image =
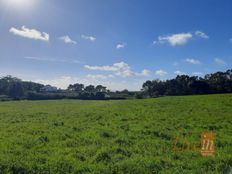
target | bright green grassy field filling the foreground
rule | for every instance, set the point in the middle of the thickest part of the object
(130, 136)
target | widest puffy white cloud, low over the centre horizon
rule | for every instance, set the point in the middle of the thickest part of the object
(121, 69)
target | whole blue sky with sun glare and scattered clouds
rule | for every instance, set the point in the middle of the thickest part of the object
(119, 44)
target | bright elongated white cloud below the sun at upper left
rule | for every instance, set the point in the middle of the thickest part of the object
(30, 33)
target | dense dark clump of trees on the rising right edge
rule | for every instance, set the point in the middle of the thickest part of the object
(219, 82)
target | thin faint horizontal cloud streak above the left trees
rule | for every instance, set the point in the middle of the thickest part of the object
(46, 59)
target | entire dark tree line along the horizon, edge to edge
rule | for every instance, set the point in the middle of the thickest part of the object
(12, 88)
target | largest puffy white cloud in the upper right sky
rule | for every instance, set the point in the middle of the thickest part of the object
(175, 39)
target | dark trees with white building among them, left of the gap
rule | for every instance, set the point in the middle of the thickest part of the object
(16, 89)
